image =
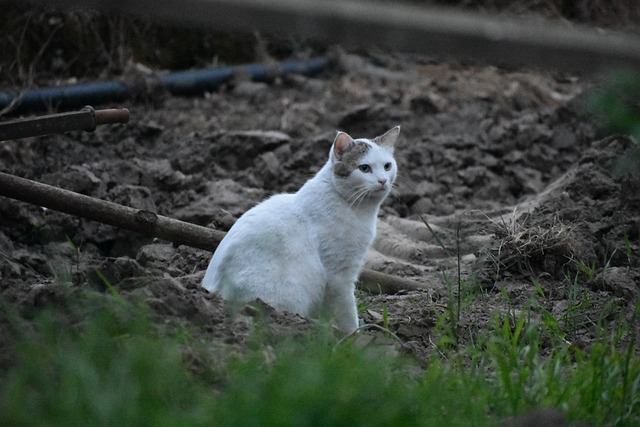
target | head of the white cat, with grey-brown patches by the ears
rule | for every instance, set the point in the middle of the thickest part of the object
(364, 169)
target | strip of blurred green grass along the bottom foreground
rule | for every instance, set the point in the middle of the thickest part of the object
(105, 364)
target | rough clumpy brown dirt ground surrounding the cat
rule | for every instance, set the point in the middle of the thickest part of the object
(503, 165)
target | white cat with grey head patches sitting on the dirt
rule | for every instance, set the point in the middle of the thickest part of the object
(303, 252)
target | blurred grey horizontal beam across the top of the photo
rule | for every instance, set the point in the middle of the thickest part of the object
(400, 27)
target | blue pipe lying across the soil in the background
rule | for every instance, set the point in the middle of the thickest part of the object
(184, 83)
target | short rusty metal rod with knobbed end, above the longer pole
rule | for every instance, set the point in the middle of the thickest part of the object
(86, 119)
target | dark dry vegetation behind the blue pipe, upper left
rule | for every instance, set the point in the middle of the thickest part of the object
(43, 44)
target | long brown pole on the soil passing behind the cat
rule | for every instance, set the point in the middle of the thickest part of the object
(149, 223)
